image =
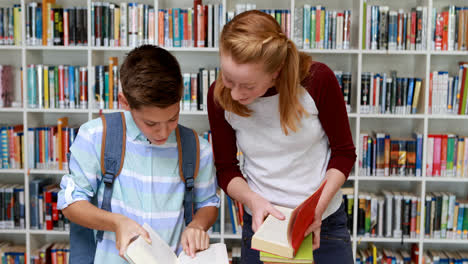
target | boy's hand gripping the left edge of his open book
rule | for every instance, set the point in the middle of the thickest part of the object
(125, 230)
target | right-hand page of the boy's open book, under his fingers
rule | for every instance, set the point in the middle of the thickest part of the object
(215, 254)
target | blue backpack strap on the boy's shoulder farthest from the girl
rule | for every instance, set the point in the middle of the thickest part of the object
(112, 155)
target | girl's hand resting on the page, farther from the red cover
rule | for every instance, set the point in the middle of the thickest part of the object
(261, 208)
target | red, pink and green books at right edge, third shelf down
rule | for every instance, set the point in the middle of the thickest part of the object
(447, 156)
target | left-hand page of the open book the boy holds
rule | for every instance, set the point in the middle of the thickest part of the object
(158, 252)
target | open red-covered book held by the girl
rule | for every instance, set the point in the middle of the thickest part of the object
(283, 238)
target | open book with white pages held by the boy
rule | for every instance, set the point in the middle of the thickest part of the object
(159, 252)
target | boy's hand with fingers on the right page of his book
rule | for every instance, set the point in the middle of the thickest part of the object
(194, 239)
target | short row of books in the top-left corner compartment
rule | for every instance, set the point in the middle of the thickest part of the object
(10, 25)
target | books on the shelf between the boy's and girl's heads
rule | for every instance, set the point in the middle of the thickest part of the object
(196, 87)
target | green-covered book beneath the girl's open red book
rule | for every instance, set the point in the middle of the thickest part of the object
(304, 254)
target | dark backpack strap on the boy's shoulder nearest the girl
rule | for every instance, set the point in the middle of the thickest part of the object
(189, 162)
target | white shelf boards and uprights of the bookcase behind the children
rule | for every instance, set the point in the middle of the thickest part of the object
(417, 63)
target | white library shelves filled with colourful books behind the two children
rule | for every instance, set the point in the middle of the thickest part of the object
(402, 66)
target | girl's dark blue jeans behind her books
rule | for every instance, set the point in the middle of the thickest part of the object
(335, 241)
